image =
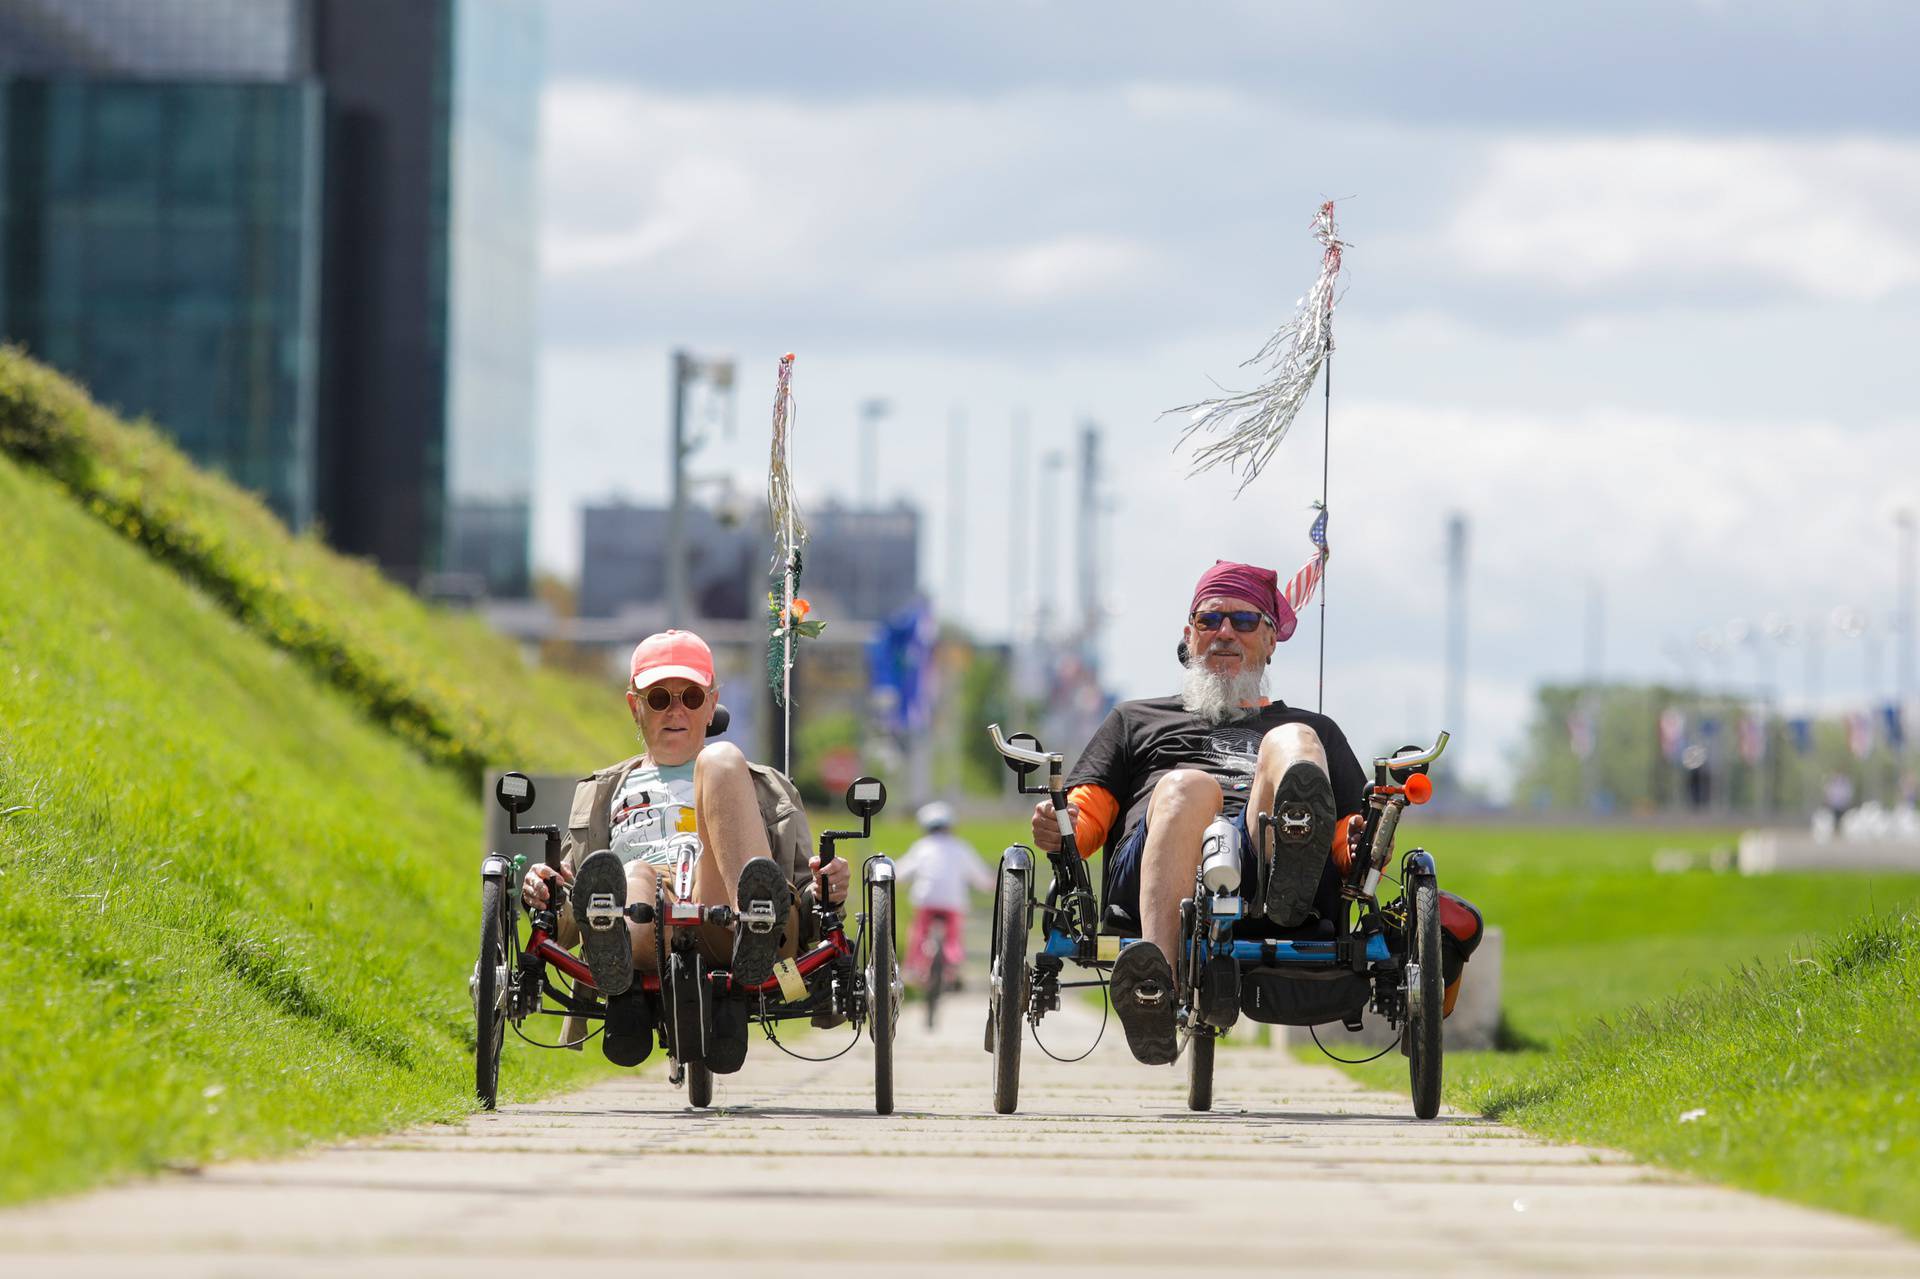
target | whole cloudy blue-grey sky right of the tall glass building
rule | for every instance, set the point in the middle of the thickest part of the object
(1635, 289)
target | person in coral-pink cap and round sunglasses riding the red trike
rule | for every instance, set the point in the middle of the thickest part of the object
(694, 817)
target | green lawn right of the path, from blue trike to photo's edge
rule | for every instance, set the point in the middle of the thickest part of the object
(1637, 998)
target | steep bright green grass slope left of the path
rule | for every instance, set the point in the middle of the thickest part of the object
(241, 911)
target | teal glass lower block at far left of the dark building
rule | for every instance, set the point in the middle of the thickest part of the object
(160, 247)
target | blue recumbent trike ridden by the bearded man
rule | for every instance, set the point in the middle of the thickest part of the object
(1372, 955)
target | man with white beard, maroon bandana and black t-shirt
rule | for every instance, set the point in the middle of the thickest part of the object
(1159, 771)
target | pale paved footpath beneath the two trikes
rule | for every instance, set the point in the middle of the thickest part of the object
(1103, 1170)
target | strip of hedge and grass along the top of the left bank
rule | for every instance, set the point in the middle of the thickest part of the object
(448, 685)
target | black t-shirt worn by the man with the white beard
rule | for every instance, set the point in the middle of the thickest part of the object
(1145, 740)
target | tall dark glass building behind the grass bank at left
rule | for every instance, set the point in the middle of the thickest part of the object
(299, 235)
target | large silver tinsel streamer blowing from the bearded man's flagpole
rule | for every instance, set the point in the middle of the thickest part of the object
(1247, 429)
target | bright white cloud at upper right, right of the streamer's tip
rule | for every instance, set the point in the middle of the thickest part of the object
(1671, 214)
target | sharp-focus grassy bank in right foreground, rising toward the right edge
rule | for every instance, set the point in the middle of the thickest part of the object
(1792, 1078)
